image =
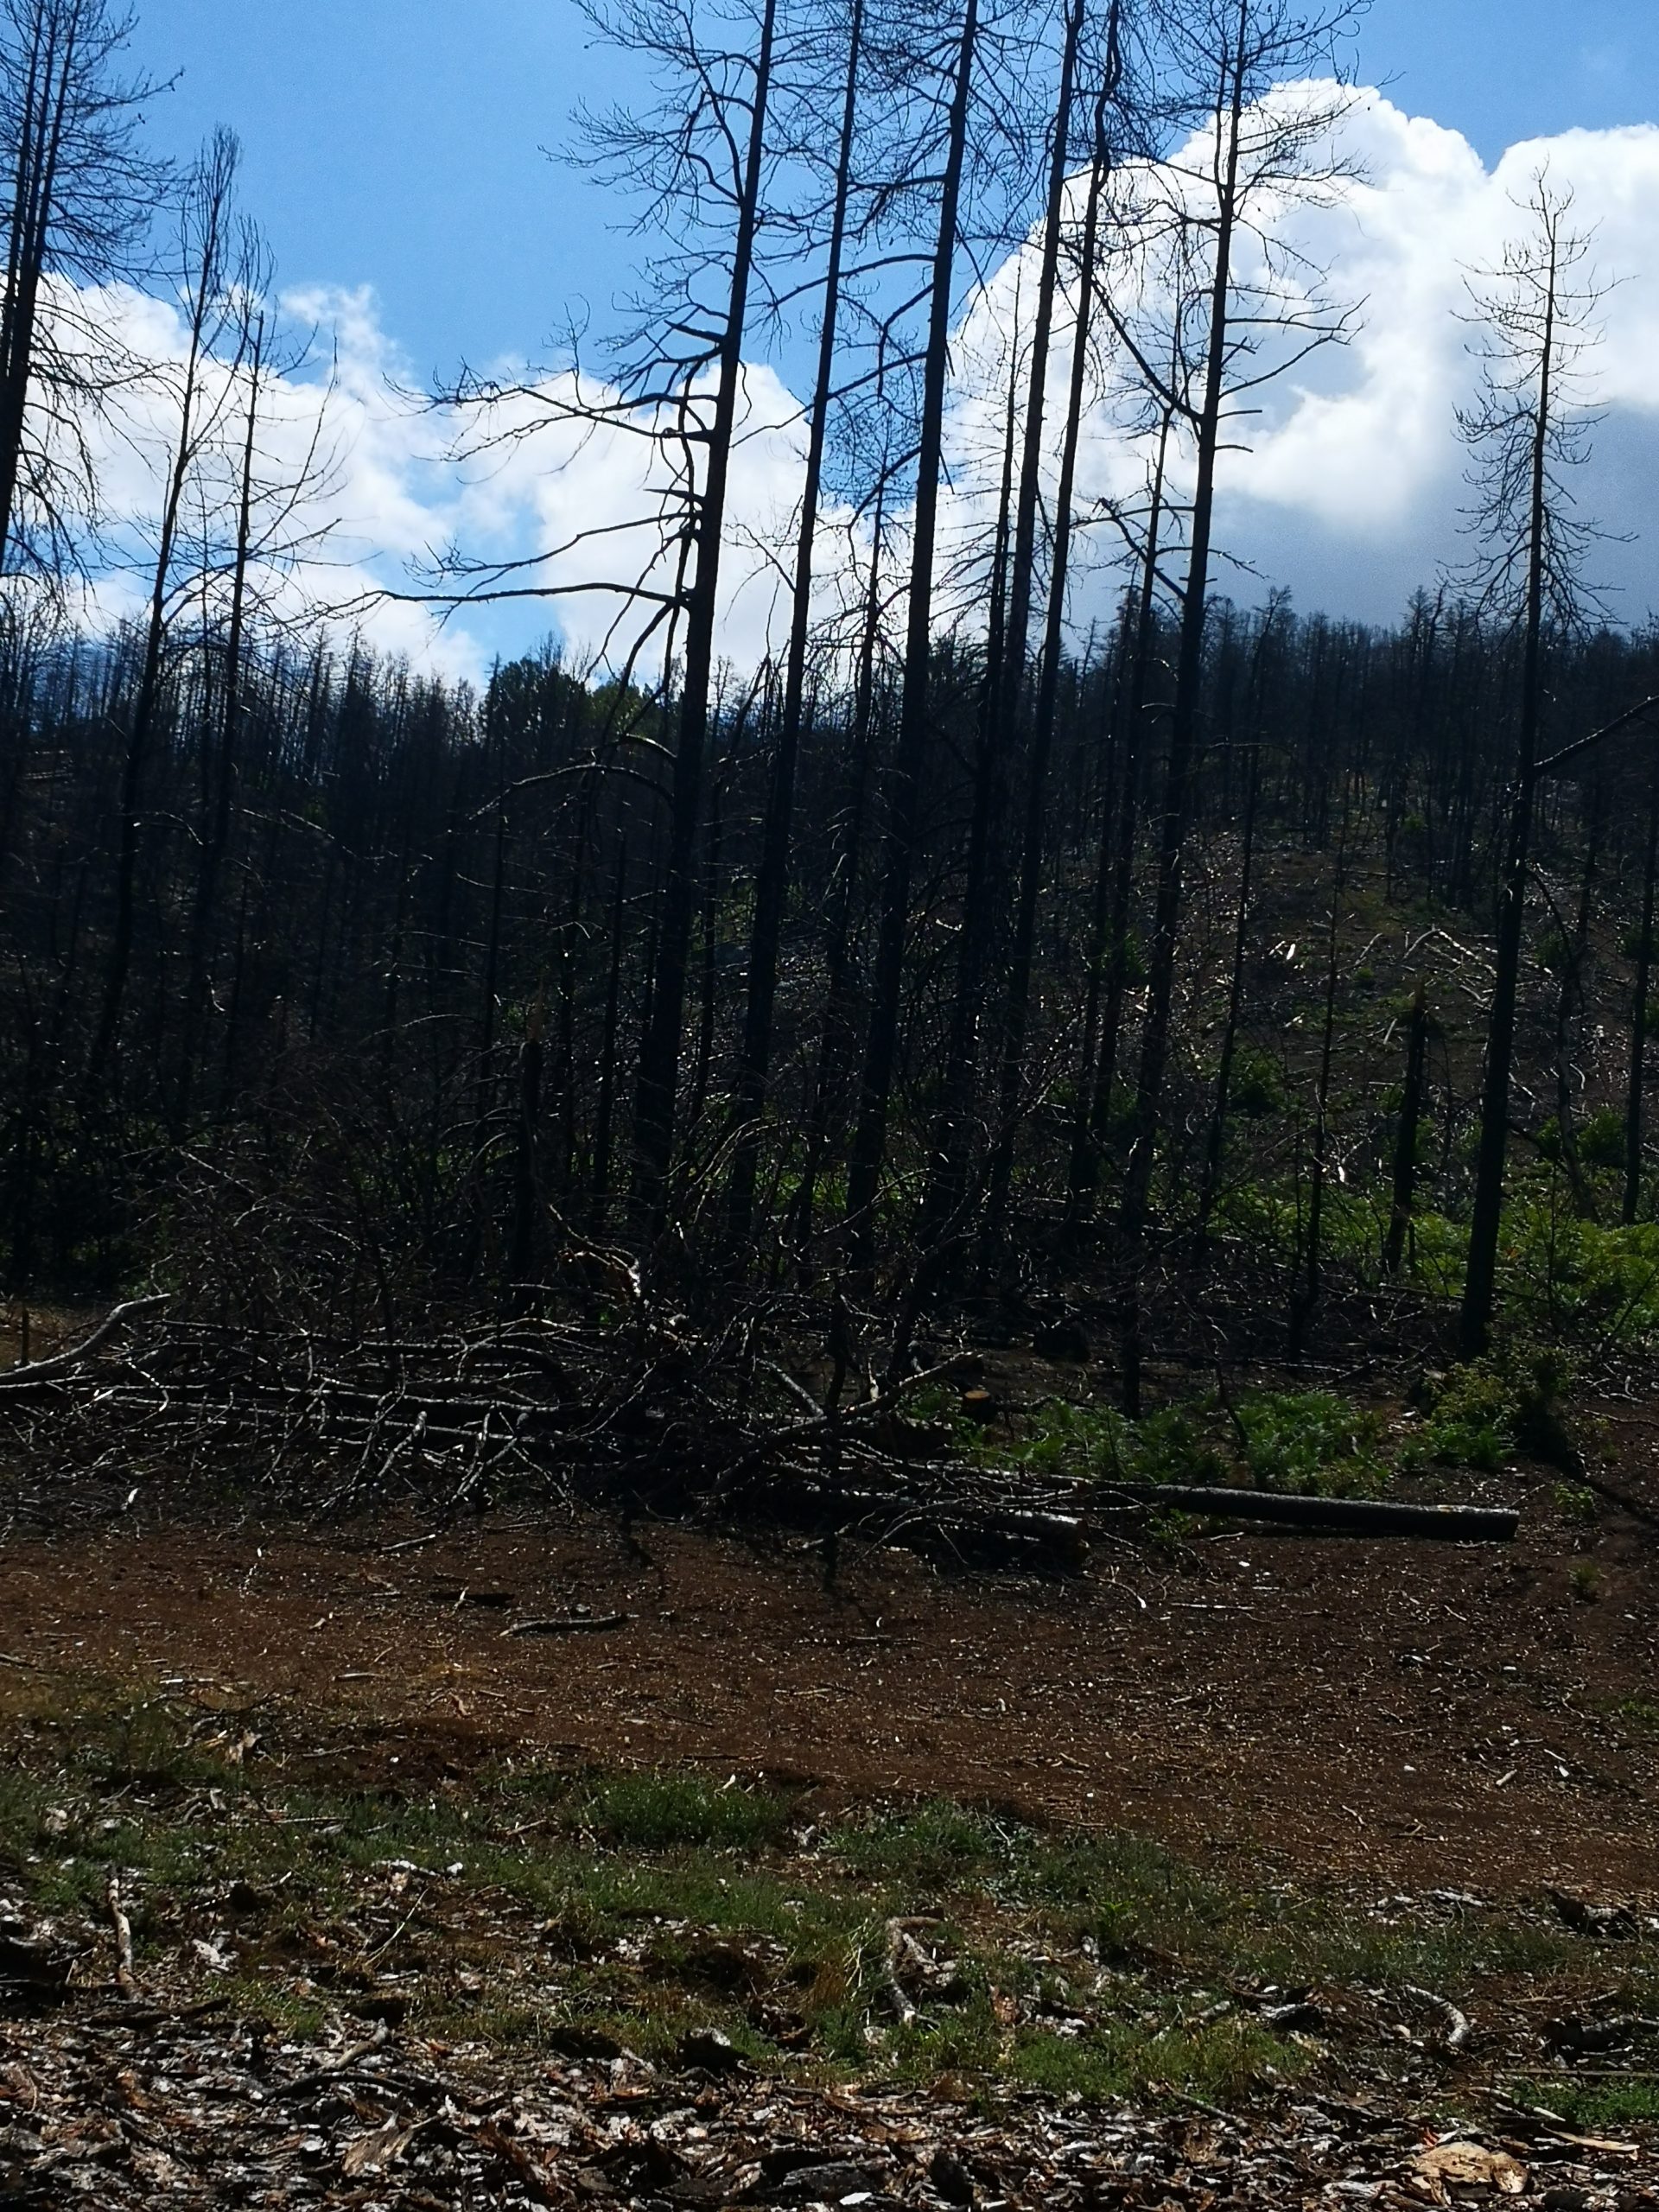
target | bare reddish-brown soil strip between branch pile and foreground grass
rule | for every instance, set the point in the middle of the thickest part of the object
(1395, 1713)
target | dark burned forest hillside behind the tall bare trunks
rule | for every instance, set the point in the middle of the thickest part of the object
(413, 1081)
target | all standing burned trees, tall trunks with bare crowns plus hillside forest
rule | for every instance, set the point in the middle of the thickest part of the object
(1196, 983)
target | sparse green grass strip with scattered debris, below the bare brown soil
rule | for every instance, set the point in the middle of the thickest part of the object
(583, 1912)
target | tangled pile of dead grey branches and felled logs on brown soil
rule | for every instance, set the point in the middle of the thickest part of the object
(638, 1419)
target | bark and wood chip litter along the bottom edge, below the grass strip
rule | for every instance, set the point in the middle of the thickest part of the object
(213, 2111)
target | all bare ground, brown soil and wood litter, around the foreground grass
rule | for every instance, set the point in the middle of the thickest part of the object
(1357, 1720)
